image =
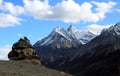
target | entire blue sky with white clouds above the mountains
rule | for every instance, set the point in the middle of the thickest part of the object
(37, 18)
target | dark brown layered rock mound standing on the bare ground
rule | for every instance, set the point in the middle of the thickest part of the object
(22, 50)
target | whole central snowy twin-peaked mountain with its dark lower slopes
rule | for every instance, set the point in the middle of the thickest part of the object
(59, 43)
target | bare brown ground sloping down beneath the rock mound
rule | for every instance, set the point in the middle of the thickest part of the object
(27, 68)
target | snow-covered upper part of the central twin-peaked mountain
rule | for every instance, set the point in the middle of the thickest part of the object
(71, 34)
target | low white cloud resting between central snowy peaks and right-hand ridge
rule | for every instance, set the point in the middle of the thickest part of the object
(96, 29)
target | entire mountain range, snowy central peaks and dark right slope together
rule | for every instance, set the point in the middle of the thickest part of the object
(82, 53)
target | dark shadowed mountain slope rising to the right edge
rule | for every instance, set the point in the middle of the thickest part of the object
(99, 57)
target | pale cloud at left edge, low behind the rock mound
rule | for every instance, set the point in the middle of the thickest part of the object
(4, 52)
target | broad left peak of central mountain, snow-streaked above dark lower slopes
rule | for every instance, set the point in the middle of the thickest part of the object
(58, 37)
